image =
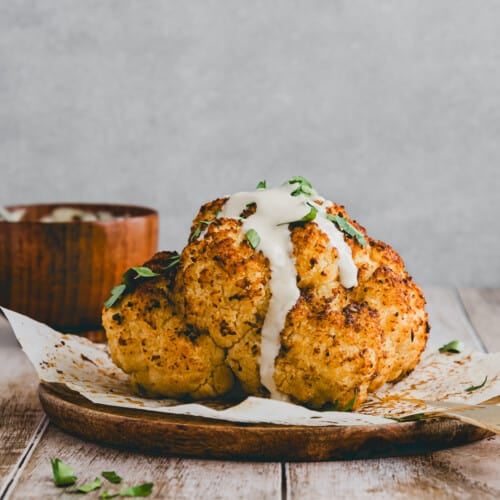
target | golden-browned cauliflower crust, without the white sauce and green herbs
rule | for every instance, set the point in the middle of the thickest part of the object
(195, 330)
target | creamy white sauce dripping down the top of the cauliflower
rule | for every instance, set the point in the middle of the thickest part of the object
(275, 209)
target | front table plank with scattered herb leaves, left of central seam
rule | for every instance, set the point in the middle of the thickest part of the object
(173, 478)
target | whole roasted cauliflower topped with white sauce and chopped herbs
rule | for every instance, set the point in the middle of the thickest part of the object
(278, 293)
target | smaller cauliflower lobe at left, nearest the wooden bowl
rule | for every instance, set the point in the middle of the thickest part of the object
(151, 342)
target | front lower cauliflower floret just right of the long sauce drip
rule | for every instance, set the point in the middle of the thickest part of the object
(328, 357)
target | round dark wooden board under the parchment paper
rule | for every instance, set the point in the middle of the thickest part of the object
(161, 434)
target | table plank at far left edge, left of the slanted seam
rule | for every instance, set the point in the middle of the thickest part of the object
(21, 417)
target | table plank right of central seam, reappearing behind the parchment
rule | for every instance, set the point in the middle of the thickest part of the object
(470, 471)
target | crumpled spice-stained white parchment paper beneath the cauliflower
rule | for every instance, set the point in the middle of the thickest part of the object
(464, 386)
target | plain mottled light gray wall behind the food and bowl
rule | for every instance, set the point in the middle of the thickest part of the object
(389, 107)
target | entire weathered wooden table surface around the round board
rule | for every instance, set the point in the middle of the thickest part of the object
(28, 441)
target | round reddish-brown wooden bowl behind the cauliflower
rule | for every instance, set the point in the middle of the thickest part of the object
(60, 273)
